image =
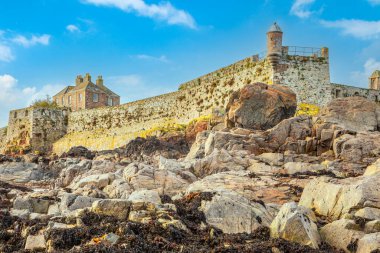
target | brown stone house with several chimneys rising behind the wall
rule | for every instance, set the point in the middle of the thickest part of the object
(86, 95)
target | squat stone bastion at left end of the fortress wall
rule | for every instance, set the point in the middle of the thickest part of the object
(34, 128)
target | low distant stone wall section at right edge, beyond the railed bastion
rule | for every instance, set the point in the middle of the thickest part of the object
(340, 90)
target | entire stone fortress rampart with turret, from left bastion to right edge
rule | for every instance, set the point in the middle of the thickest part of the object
(305, 70)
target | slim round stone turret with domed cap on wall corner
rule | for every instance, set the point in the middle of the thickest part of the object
(274, 44)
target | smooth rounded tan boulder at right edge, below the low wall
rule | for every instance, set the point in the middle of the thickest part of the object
(352, 113)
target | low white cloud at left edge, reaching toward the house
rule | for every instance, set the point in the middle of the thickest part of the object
(13, 96)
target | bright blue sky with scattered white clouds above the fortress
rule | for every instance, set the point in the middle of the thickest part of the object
(148, 47)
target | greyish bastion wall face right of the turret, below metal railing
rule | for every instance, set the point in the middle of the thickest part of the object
(308, 77)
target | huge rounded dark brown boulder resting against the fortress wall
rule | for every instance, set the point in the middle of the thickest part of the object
(260, 106)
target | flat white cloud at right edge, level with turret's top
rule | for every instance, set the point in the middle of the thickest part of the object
(361, 29)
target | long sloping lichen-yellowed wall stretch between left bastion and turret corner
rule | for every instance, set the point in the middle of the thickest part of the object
(111, 127)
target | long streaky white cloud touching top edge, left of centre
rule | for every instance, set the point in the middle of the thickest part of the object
(164, 11)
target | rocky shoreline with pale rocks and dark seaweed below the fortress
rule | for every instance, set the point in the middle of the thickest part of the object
(309, 184)
